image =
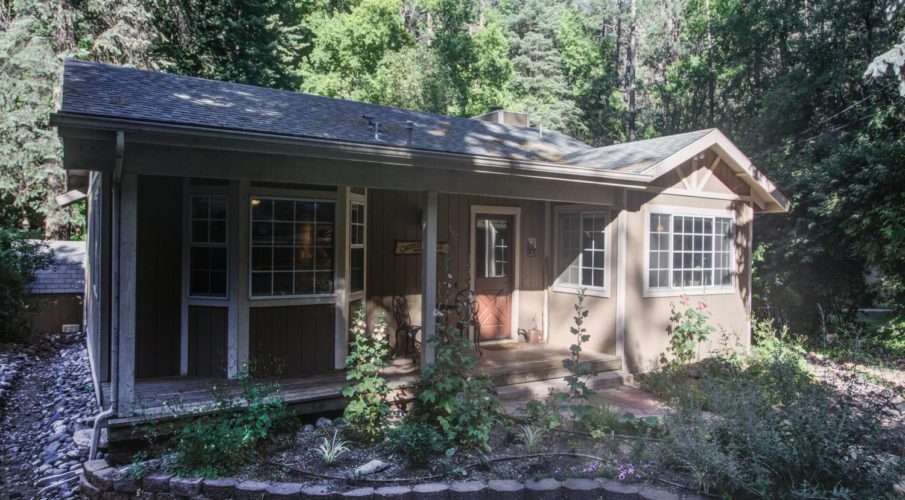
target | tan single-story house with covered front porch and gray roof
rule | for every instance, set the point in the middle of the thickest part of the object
(231, 224)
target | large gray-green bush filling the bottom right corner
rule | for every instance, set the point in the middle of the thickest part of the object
(778, 433)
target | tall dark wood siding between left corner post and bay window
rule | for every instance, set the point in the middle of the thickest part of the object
(159, 277)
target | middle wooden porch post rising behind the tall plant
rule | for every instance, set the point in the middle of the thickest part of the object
(428, 276)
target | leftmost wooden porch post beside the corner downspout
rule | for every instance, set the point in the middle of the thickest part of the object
(128, 235)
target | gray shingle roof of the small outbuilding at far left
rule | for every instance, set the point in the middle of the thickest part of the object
(66, 274)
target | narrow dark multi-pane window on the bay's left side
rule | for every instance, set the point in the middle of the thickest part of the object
(208, 248)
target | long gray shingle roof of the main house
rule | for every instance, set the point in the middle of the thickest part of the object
(113, 91)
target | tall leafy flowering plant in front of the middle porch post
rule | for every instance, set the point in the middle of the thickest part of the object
(450, 396)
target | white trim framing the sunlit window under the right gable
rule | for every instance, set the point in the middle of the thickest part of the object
(674, 210)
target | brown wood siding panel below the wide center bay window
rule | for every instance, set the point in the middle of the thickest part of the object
(292, 340)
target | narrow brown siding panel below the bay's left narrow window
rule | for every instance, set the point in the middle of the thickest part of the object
(208, 328)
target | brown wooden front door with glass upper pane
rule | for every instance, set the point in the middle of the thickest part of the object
(494, 270)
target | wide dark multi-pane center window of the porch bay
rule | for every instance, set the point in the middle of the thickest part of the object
(292, 247)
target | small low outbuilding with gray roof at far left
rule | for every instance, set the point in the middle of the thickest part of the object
(59, 288)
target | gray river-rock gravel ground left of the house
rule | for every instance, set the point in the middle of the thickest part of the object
(47, 396)
